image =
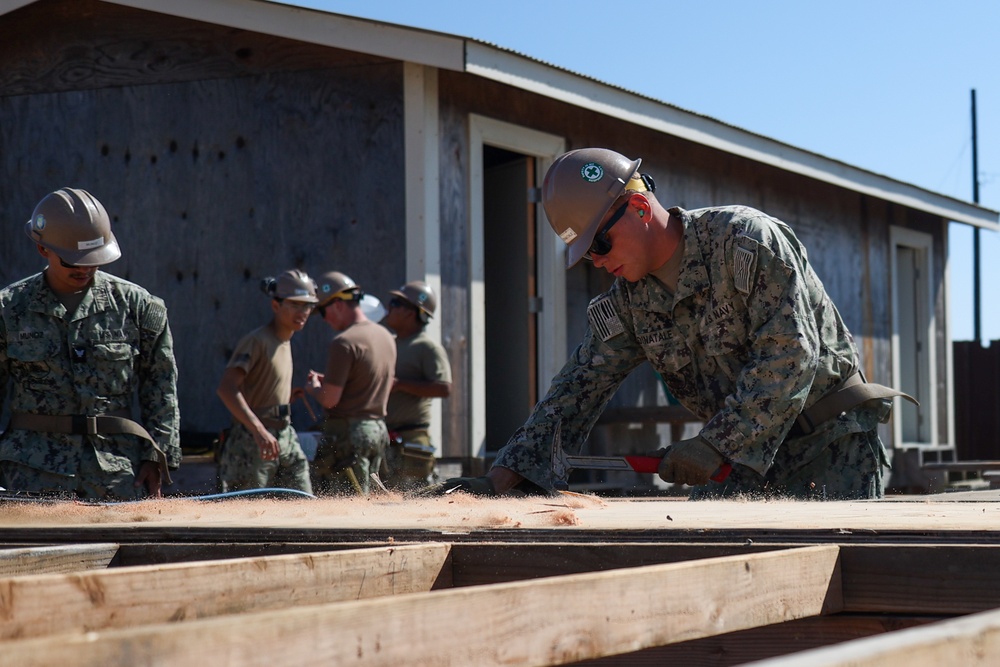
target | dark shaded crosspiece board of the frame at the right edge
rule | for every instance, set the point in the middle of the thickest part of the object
(909, 579)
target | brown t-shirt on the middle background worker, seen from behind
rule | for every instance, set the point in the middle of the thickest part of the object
(362, 360)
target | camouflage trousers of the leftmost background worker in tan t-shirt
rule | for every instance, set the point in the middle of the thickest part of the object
(241, 466)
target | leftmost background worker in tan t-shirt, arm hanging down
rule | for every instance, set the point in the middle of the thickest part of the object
(262, 449)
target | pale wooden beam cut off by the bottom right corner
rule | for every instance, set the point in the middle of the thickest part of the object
(970, 641)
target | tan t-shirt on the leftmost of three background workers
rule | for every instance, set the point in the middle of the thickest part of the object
(267, 361)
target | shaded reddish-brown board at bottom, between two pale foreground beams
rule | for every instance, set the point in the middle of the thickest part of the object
(770, 641)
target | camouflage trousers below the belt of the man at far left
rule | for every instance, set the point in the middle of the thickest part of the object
(91, 481)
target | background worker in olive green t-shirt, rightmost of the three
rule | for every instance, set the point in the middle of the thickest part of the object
(422, 373)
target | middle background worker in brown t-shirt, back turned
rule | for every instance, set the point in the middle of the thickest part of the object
(354, 390)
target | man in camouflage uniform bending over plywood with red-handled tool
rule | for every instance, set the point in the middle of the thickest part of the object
(726, 307)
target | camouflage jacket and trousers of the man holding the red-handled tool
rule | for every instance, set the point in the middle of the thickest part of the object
(748, 341)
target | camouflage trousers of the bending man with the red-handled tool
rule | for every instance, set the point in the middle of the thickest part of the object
(850, 468)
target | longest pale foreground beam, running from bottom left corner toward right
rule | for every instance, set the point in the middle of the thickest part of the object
(542, 622)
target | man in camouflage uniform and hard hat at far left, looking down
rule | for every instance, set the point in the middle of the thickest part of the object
(75, 345)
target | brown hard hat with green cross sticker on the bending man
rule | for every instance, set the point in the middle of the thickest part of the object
(580, 188)
